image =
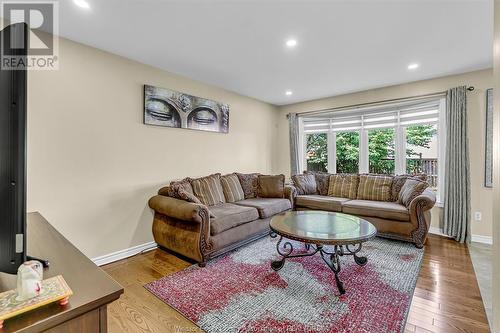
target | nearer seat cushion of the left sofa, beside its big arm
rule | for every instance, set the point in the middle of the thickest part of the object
(229, 216)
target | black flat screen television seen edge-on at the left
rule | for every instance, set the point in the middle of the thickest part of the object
(13, 91)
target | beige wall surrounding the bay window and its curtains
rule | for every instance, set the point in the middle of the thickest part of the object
(481, 80)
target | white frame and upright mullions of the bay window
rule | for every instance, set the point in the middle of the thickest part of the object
(400, 147)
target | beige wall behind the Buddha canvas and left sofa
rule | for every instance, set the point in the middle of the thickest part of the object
(92, 164)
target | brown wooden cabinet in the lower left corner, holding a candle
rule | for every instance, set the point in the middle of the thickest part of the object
(93, 289)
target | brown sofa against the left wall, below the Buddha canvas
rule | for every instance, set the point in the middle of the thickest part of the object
(200, 229)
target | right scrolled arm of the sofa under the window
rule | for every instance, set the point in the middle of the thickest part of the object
(420, 216)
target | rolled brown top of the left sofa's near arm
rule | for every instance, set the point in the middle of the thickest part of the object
(178, 209)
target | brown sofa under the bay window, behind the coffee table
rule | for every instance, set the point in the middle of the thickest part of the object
(376, 198)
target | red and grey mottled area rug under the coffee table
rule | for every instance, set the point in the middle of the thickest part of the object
(239, 292)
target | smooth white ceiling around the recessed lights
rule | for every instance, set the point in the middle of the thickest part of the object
(343, 46)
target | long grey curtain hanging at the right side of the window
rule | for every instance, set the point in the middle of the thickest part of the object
(456, 222)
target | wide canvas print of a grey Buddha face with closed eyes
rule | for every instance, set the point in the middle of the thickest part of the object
(170, 108)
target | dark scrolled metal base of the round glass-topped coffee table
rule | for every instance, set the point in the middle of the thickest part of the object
(332, 259)
